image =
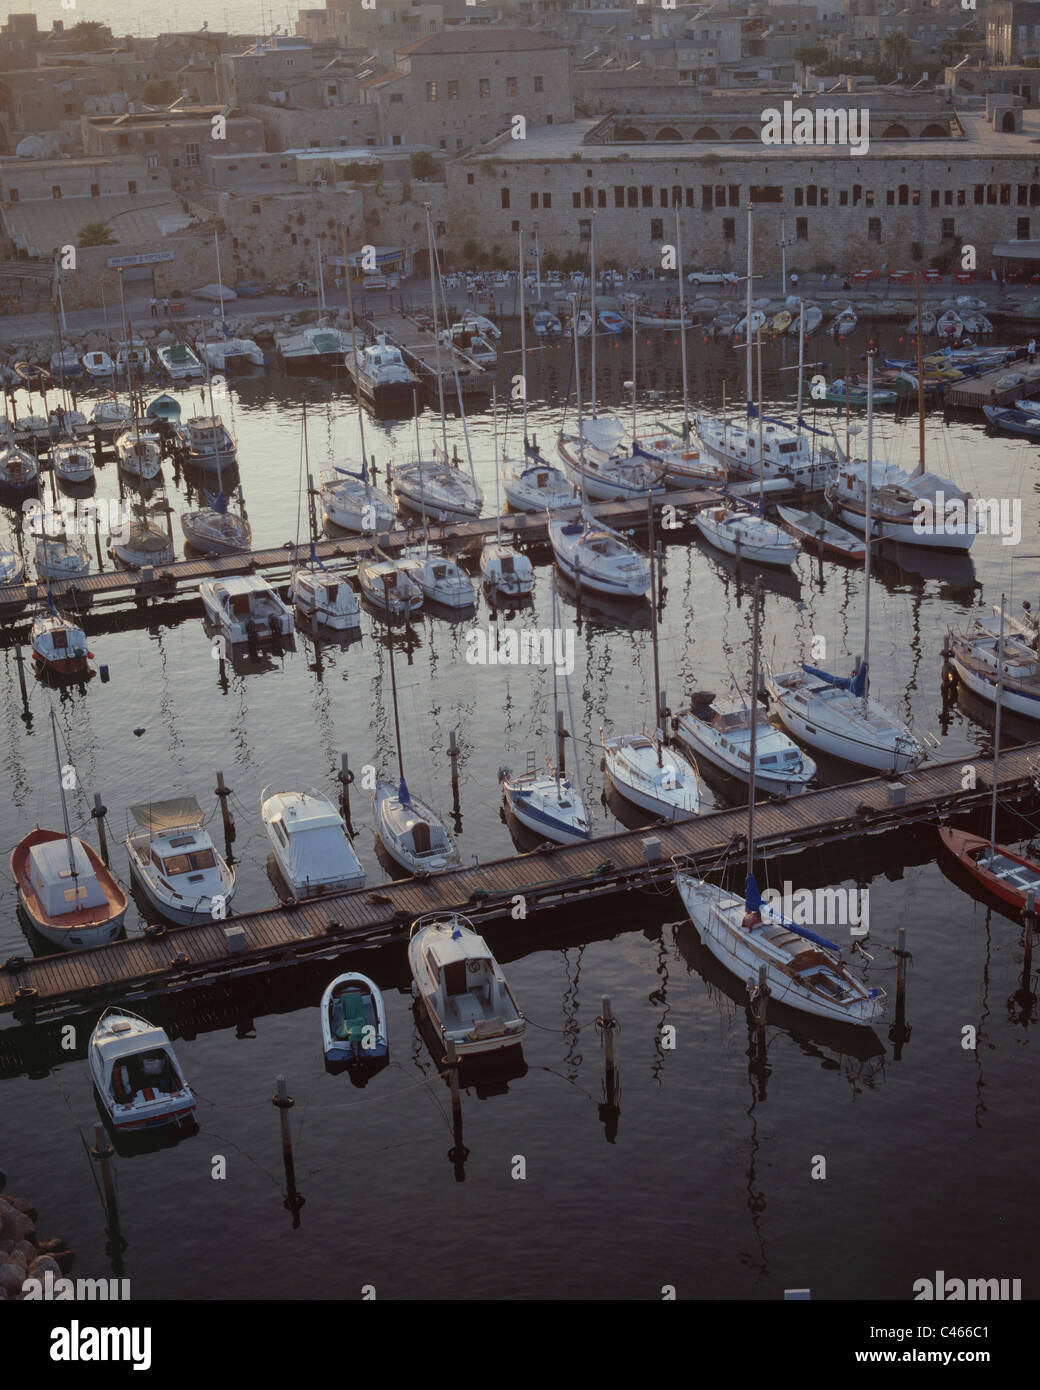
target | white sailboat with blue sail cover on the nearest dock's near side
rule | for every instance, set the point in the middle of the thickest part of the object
(804, 971)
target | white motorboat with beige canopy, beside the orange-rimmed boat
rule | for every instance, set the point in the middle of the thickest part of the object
(174, 862)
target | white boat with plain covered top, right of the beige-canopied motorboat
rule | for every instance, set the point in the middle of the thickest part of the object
(311, 843)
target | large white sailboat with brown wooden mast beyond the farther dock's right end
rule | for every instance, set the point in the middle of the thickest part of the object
(900, 498)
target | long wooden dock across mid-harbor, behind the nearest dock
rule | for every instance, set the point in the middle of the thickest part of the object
(276, 564)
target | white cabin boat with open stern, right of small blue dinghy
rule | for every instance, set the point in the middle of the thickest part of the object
(462, 988)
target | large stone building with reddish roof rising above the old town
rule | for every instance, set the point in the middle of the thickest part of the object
(461, 87)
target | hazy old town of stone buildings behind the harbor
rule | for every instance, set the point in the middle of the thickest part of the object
(518, 115)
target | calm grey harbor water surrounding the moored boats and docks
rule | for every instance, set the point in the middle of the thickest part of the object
(704, 1179)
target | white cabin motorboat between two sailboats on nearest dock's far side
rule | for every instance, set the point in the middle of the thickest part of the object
(721, 733)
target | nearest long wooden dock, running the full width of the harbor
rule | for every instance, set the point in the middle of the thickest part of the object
(168, 960)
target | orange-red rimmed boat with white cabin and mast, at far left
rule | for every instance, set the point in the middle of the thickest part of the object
(69, 894)
